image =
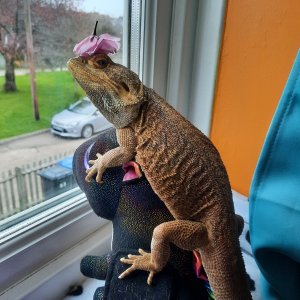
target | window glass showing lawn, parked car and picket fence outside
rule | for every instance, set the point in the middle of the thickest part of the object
(38, 137)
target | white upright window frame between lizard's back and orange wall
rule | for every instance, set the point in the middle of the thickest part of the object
(185, 76)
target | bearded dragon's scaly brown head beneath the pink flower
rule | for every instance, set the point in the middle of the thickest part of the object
(115, 90)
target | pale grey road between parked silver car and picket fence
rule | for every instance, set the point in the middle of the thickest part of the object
(32, 148)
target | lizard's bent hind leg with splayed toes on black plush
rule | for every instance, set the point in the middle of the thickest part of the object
(187, 235)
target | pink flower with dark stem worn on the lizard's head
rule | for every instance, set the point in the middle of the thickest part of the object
(93, 44)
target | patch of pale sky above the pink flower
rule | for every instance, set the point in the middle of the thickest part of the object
(113, 8)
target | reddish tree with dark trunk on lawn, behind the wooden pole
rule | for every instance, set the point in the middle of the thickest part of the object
(12, 29)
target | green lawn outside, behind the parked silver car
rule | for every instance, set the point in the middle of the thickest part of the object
(56, 90)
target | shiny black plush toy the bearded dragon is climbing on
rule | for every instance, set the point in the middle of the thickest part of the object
(127, 199)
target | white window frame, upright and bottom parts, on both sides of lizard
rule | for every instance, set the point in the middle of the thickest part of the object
(186, 77)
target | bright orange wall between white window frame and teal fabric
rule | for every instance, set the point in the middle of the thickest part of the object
(261, 40)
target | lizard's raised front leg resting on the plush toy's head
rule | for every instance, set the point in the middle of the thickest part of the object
(115, 157)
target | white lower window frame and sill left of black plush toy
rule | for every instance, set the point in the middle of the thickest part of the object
(44, 242)
